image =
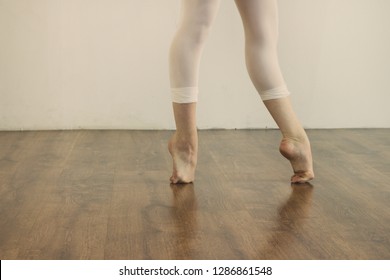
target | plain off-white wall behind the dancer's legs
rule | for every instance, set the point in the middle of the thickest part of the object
(67, 64)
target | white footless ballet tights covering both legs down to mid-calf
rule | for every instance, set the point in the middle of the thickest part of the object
(260, 20)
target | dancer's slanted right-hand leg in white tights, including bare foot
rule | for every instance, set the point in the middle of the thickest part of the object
(260, 20)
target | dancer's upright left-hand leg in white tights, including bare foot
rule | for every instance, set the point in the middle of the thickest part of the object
(185, 53)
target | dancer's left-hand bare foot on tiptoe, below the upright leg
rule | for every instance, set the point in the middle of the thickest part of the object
(184, 156)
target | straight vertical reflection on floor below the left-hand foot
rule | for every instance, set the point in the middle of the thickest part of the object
(184, 214)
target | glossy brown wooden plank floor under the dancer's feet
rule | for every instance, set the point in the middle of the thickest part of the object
(106, 195)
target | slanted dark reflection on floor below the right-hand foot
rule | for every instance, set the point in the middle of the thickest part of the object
(292, 215)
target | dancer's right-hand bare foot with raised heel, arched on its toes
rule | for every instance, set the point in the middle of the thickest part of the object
(299, 154)
